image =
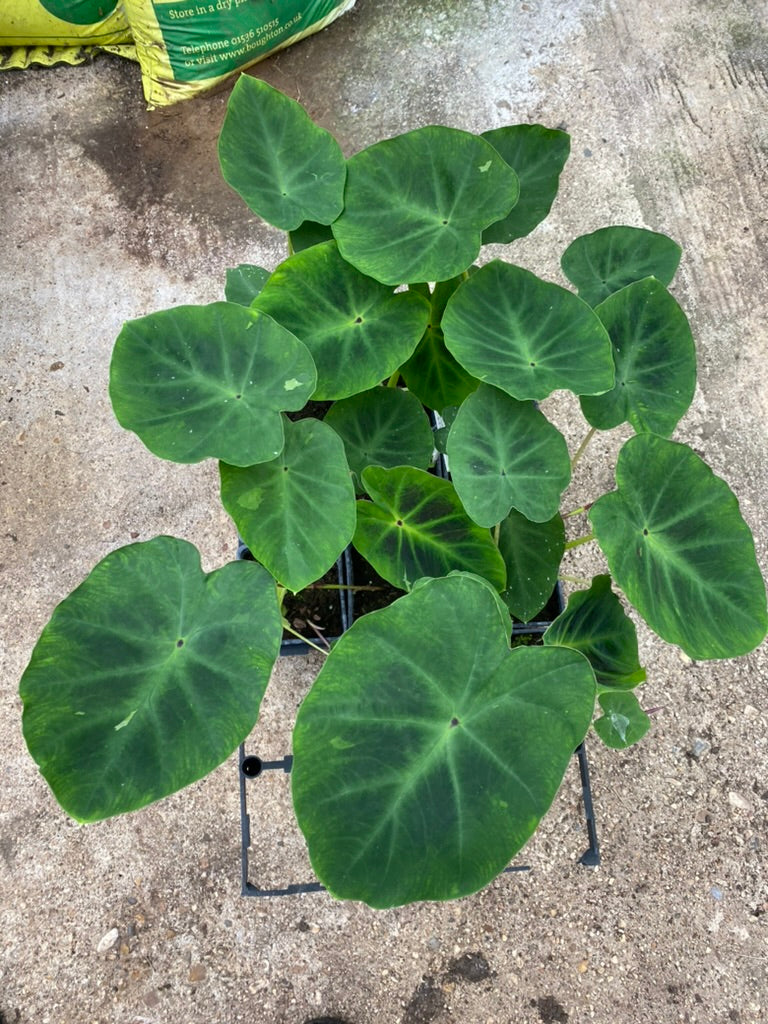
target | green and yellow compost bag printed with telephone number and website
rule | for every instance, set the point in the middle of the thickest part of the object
(188, 47)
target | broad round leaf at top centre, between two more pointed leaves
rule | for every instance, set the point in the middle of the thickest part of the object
(416, 206)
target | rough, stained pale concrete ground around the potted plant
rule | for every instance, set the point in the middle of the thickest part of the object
(110, 212)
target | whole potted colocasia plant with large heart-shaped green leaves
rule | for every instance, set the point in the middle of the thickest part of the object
(429, 749)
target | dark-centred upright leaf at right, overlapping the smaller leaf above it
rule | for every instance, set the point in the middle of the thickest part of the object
(656, 361)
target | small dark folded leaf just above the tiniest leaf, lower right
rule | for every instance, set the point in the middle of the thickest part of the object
(595, 624)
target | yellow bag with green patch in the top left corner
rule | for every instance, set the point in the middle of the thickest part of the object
(55, 31)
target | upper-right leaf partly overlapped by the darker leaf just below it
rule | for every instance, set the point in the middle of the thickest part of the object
(603, 263)
